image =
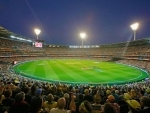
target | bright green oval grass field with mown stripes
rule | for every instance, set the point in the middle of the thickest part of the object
(80, 71)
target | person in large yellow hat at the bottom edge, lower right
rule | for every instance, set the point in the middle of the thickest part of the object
(134, 106)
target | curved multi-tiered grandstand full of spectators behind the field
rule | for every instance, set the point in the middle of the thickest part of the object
(15, 48)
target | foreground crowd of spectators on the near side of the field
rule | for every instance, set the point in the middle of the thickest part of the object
(25, 95)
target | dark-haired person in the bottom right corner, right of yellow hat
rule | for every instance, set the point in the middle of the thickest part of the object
(145, 104)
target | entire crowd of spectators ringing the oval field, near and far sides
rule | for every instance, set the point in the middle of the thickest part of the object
(25, 95)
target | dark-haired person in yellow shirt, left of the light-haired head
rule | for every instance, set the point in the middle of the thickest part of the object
(49, 104)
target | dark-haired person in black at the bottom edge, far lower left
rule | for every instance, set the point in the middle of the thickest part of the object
(20, 106)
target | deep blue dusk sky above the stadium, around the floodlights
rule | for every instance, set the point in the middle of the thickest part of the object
(61, 21)
